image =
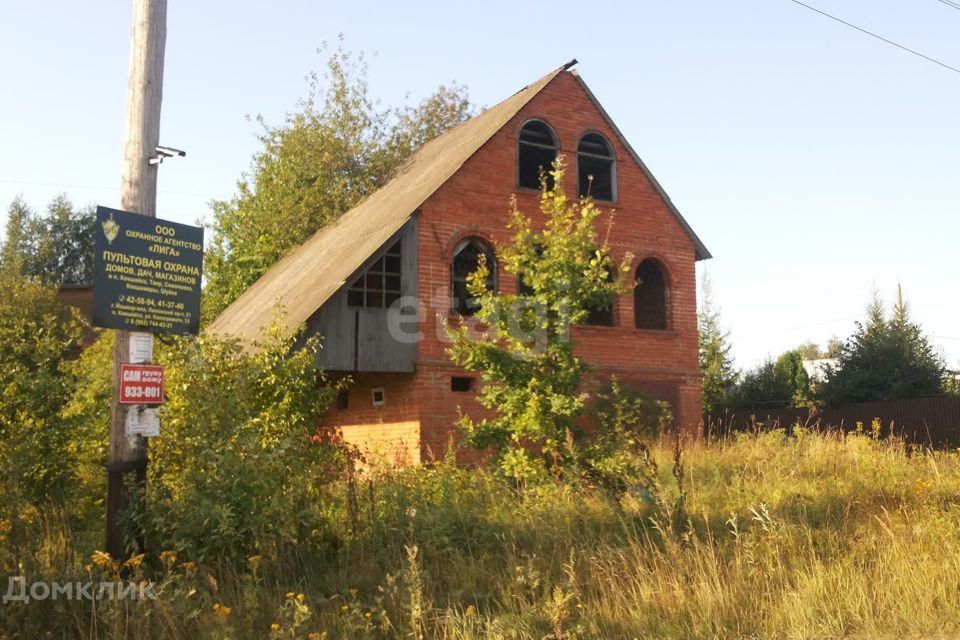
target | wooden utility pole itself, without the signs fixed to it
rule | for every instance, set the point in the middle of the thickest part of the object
(127, 456)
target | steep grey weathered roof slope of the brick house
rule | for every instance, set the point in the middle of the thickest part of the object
(308, 276)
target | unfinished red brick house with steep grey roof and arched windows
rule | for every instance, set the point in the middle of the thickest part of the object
(379, 284)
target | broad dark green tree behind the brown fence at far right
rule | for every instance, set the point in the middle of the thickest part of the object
(887, 358)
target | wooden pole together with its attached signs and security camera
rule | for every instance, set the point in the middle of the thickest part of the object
(146, 274)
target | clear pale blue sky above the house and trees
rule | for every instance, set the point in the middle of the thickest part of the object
(815, 162)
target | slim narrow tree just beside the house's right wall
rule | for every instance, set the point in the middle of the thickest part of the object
(717, 372)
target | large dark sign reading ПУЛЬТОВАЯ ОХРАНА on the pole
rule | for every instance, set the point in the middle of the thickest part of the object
(147, 273)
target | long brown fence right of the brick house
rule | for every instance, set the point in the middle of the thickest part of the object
(932, 421)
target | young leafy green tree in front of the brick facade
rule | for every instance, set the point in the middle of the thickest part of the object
(525, 356)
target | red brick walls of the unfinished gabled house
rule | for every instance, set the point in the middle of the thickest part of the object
(476, 201)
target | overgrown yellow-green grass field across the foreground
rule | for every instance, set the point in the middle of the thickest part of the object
(807, 536)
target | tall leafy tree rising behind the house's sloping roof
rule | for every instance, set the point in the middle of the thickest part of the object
(337, 148)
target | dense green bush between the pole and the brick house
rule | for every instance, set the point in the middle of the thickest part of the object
(240, 466)
